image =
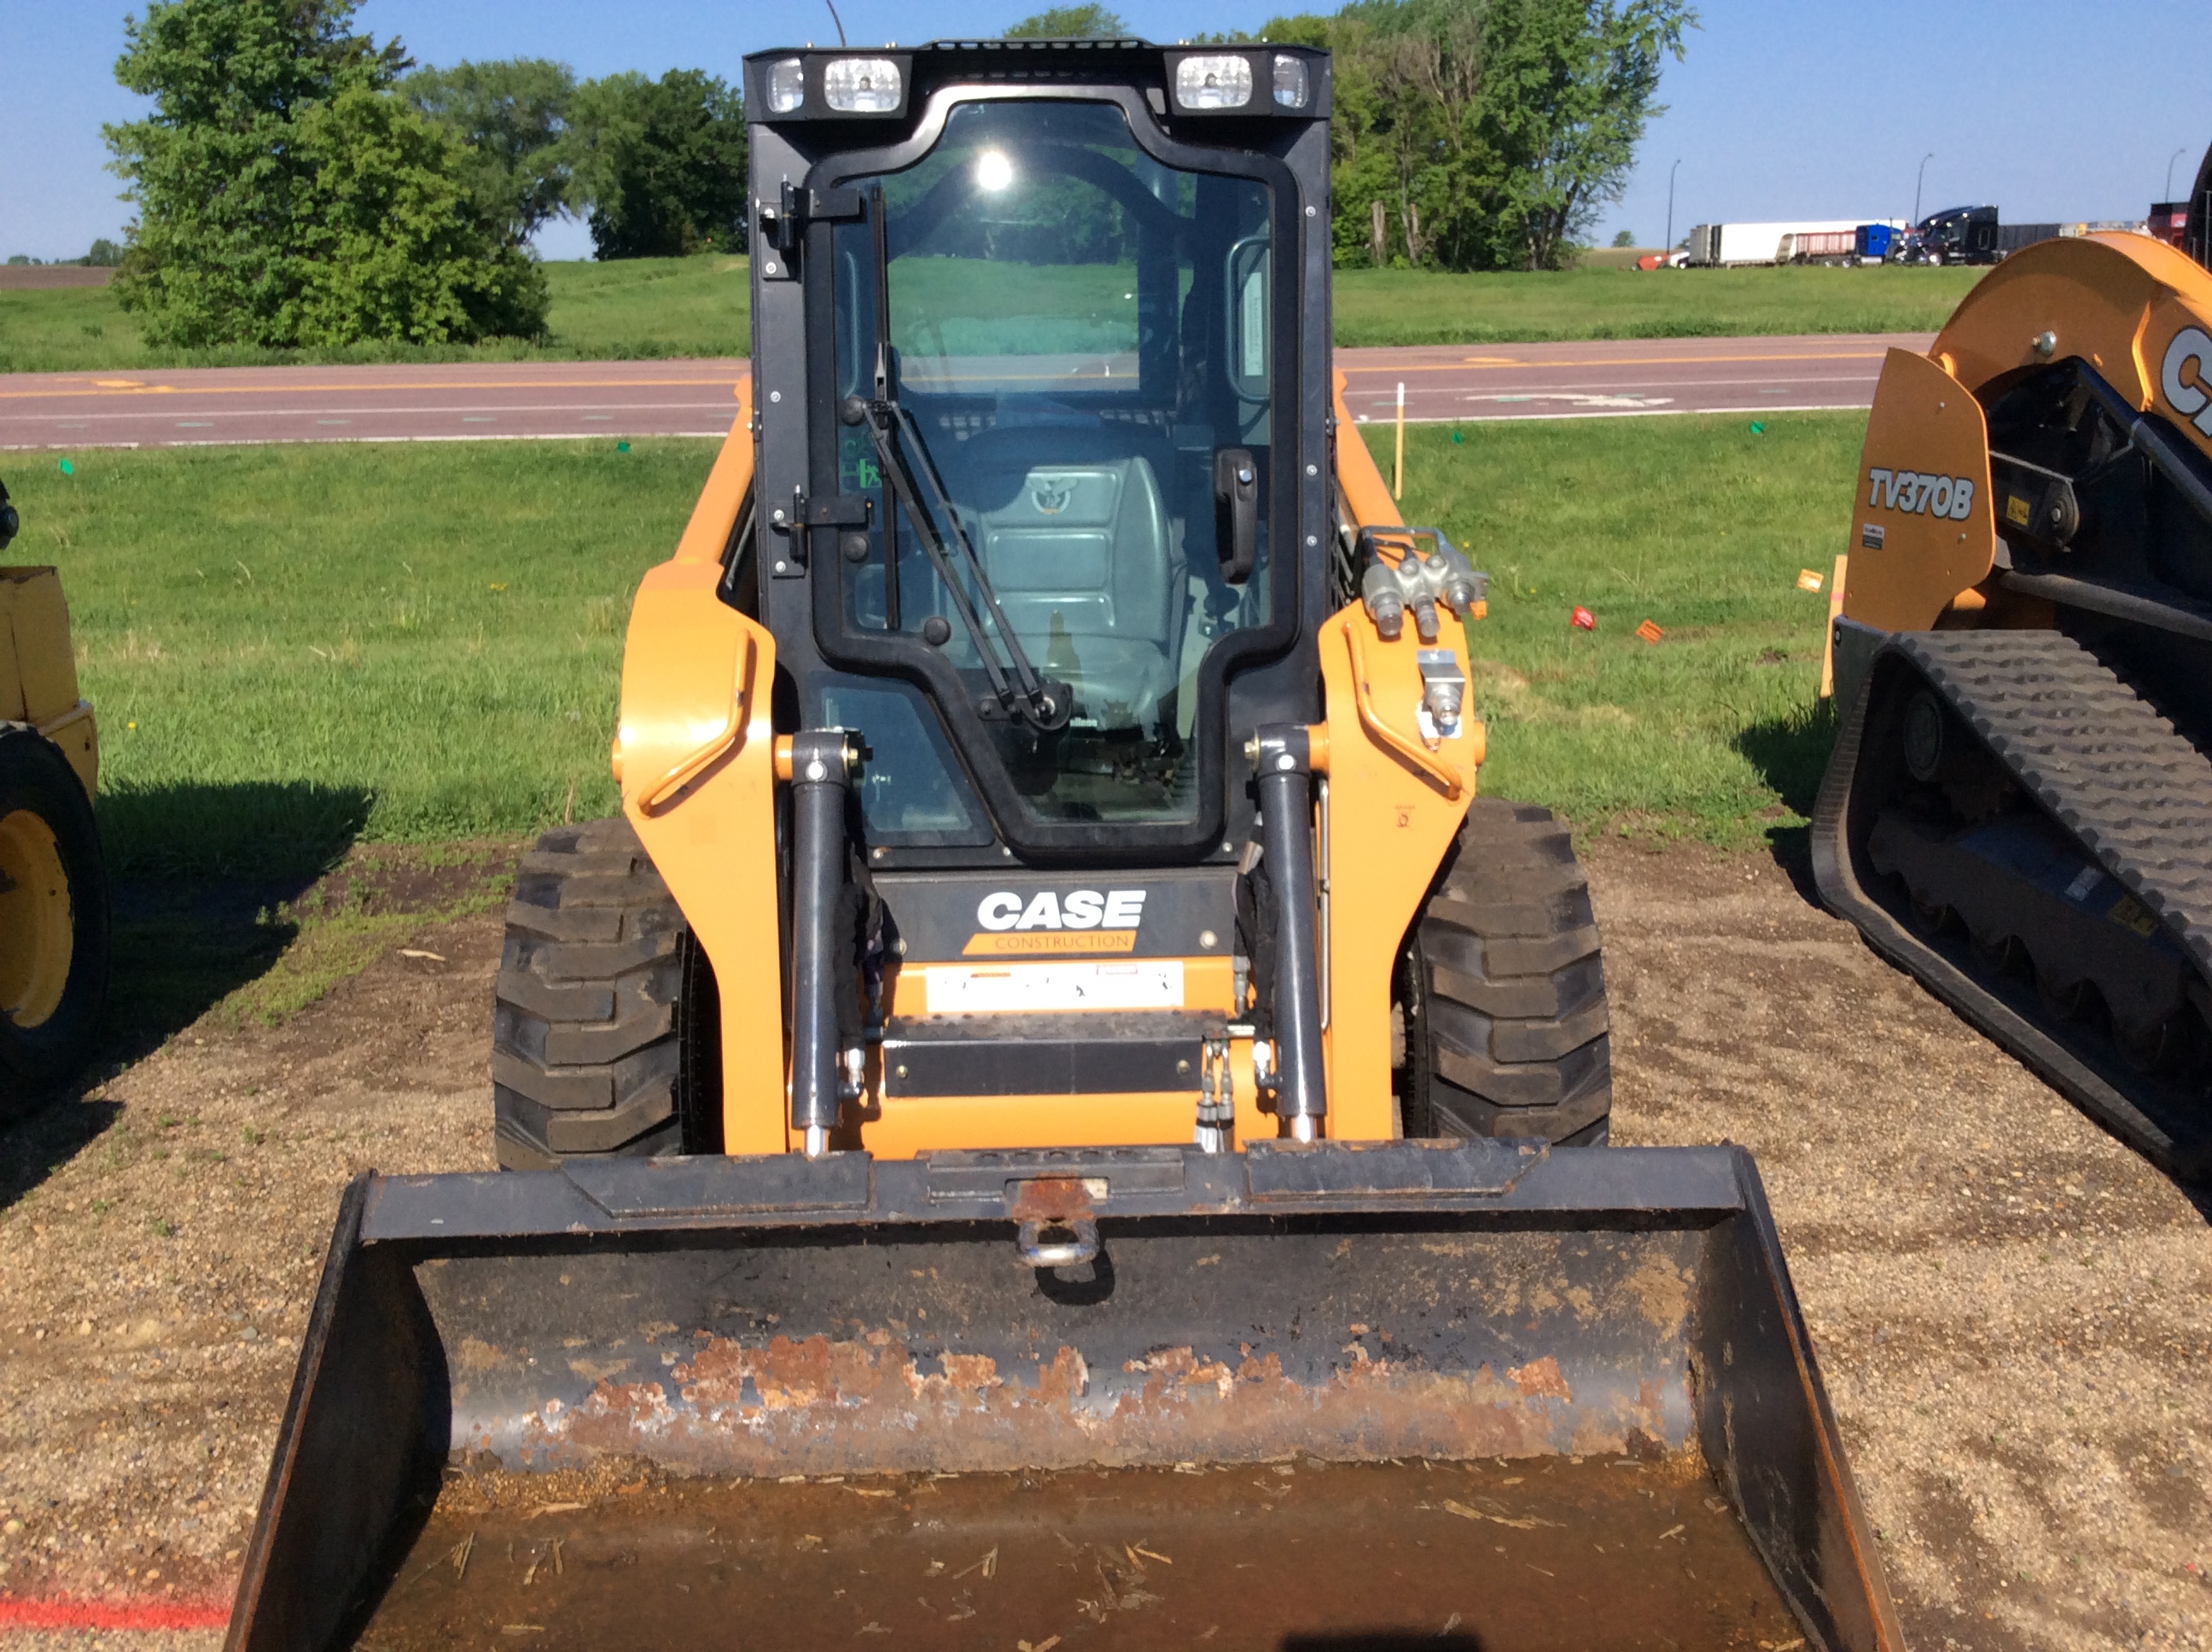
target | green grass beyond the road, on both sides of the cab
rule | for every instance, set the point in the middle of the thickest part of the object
(651, 309)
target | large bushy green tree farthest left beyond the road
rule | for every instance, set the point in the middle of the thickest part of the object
(291, 198)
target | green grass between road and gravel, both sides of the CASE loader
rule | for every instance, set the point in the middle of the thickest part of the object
(333, 682)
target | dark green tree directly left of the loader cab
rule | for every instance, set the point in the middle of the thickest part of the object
(660, 163)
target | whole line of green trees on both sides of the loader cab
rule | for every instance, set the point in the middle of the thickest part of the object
(302, 185)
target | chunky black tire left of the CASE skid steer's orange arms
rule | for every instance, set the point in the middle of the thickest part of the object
(598, 1045)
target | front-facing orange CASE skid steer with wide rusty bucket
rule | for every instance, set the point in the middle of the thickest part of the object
(1052, 1116)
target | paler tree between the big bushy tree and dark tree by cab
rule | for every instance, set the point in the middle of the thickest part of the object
(512, 116)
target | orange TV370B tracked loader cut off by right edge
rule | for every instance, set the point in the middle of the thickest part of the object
(2021, 799)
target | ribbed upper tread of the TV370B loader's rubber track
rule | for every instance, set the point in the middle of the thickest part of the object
(2094, 755)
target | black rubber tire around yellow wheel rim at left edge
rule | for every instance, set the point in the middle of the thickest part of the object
(39, 1060)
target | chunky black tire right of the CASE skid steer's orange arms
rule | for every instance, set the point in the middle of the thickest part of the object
(1503, 990)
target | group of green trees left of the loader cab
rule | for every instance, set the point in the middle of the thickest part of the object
(302, 185)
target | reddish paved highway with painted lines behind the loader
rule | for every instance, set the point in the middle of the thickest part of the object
(547, 401)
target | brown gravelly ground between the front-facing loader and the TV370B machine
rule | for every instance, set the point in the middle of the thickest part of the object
(2012, 1310)
